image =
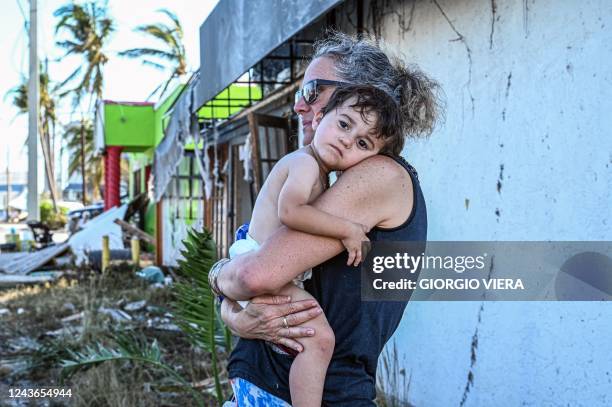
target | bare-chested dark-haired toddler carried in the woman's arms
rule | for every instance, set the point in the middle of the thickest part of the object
(357, 123)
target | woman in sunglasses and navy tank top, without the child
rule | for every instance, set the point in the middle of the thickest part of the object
(394, 209)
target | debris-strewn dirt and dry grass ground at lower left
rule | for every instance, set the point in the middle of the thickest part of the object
(41, 325)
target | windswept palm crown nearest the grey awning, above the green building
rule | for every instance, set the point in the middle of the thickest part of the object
(171, 55)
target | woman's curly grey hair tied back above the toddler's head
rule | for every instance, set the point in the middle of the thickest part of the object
(361, 61)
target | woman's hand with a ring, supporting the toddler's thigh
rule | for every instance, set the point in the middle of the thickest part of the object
(265, 317)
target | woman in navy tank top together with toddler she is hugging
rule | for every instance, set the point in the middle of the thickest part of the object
(357, 106)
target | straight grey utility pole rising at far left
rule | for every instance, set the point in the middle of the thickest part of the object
(33, 208)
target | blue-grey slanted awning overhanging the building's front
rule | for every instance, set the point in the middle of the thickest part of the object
(239, 33)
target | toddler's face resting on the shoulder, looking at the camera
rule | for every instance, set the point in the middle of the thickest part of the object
(343, 139)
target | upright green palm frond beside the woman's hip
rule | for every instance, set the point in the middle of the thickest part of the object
(194, 307)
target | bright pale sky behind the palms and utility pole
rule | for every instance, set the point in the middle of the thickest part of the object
(125, 79)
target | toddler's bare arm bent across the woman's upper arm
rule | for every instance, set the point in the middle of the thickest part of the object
(295, 212)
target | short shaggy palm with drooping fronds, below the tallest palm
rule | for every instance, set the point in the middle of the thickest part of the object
(79, 136)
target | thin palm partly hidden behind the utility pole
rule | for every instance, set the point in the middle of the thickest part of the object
(47, 120)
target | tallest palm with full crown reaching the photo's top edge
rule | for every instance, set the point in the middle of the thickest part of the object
(88, 29)
